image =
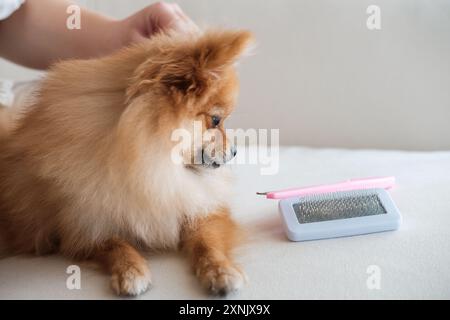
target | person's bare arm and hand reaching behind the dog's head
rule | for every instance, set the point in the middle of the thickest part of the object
(36, 35)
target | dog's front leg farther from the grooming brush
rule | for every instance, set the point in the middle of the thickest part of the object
(130, 274)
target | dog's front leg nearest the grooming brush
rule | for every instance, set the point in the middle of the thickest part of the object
(208, 243)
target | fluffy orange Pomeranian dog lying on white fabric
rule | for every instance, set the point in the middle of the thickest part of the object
(88, 169)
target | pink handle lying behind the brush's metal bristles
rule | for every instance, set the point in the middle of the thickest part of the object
(353, 184)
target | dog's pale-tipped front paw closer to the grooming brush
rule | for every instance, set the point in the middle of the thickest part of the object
(222, 279)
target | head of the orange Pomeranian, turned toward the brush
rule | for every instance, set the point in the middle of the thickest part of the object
(189, 82)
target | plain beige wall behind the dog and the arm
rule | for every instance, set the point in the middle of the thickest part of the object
(324, 79)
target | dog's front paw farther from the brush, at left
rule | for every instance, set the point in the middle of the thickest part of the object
(131, 281)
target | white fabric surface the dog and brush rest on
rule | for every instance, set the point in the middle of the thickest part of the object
(413, 261)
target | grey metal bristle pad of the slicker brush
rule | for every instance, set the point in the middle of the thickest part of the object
(338, 205)
